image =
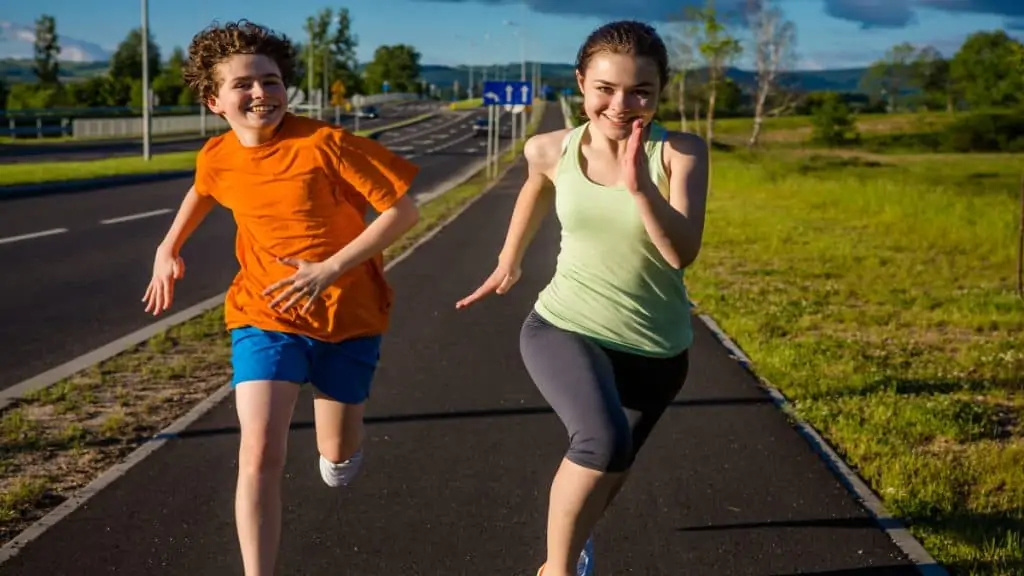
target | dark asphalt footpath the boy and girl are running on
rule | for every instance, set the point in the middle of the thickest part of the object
(460, 454)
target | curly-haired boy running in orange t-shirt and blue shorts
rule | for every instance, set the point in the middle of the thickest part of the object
(311, 301)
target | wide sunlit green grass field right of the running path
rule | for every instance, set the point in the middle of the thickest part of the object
(878, 295)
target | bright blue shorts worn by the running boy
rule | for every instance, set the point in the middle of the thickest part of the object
(343, 372)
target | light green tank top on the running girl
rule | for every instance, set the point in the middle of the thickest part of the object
(611, 282)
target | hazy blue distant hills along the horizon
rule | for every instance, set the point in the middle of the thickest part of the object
(559, 75)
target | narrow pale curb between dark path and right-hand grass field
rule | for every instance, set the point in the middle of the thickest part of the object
(893, 527)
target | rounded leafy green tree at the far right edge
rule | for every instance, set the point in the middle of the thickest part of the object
(983, 71)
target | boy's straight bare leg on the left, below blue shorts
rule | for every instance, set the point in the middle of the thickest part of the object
(265, 410)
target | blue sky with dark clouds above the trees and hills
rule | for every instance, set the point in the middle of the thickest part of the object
(832, 34)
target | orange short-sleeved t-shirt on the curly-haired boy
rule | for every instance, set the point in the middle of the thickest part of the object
(305, 195)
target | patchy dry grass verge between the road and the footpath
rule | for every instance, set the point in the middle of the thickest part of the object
(55, 442)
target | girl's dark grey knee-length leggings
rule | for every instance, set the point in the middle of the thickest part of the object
(609, 401)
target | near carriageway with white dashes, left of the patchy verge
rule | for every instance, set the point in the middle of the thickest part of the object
(77, 285)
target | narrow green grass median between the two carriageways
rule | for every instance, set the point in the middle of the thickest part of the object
(41, 173)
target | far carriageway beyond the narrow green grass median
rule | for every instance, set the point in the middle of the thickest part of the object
(72, 152)
